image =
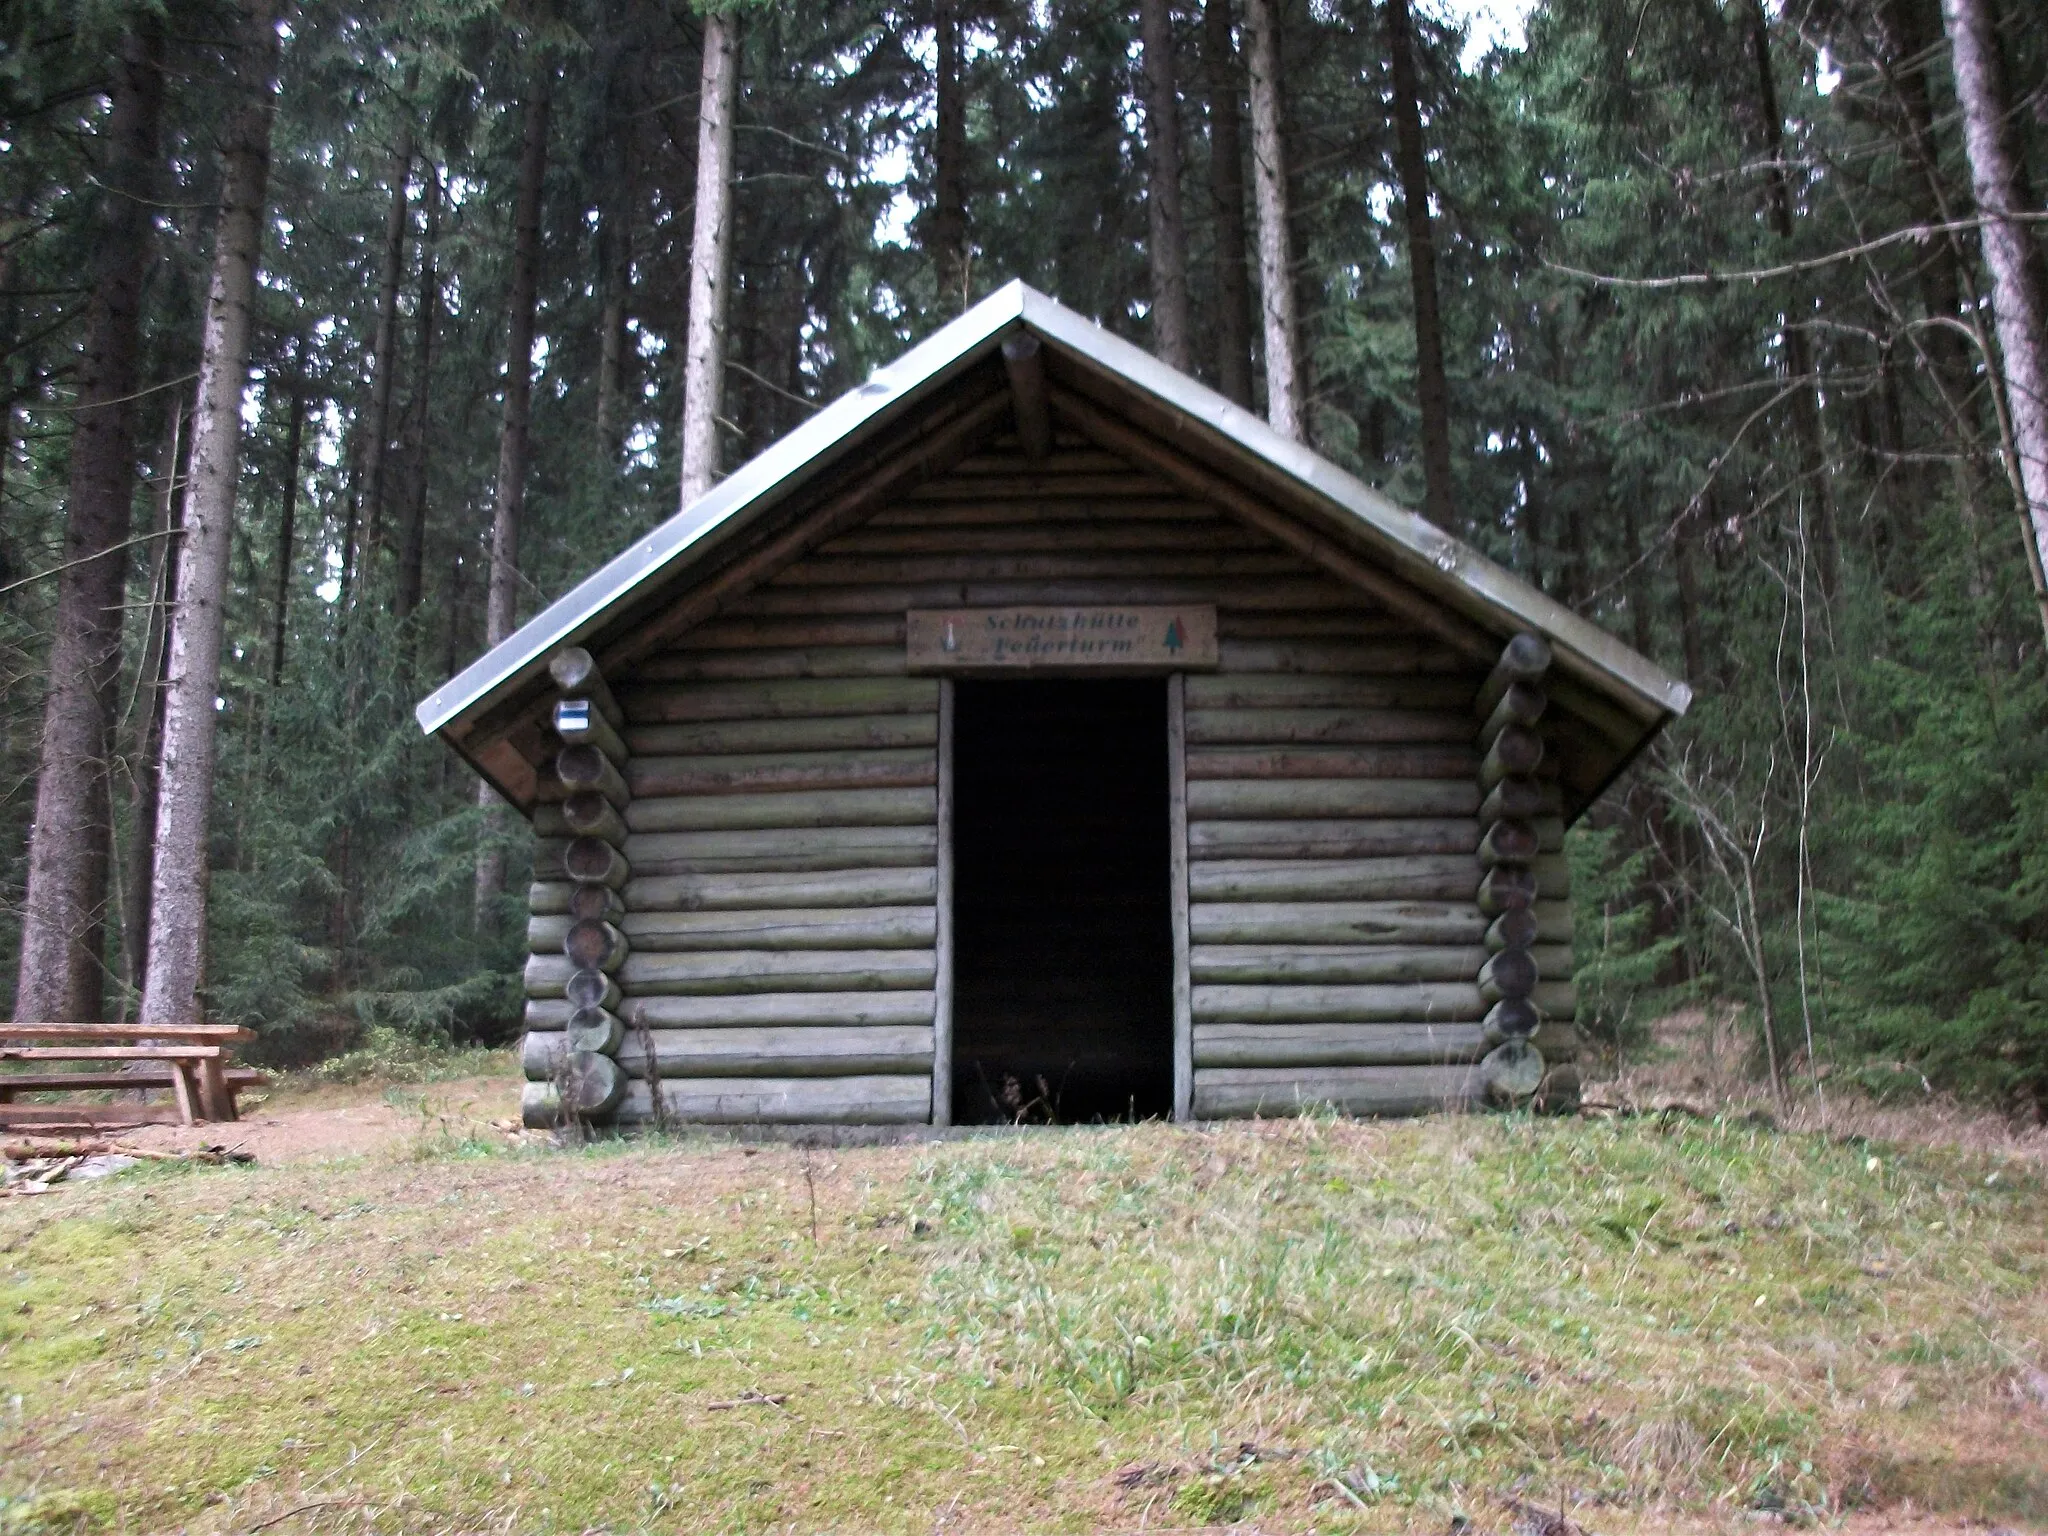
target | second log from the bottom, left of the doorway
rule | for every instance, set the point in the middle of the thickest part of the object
(802, 1052)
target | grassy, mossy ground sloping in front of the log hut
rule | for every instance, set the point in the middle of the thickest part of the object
(409, 1318)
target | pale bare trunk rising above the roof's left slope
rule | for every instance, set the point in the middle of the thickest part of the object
(712, 247)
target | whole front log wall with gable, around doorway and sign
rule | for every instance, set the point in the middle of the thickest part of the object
(783, 796)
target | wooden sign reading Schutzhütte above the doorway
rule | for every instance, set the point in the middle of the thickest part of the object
(1095, 640)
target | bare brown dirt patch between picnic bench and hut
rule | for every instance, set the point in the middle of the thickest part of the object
(327, 1123)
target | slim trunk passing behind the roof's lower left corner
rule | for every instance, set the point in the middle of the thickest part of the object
(501, 605)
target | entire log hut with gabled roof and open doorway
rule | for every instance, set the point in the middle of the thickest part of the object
(1035, 734)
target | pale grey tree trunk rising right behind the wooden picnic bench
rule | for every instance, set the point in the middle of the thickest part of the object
(179, 882)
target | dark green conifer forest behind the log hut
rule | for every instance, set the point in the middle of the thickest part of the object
(1787, 476)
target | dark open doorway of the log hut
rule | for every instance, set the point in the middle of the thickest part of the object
(1062, 923)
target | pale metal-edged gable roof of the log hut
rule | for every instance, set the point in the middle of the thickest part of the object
(1414, 548)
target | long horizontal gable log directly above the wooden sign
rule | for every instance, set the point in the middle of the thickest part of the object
(1267, 593)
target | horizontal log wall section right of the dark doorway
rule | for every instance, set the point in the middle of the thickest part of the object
(1336, 945)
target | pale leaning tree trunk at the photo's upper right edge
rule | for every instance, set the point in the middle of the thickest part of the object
(2016, 296)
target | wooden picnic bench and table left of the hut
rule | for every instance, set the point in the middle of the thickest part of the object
(189, 1062)
